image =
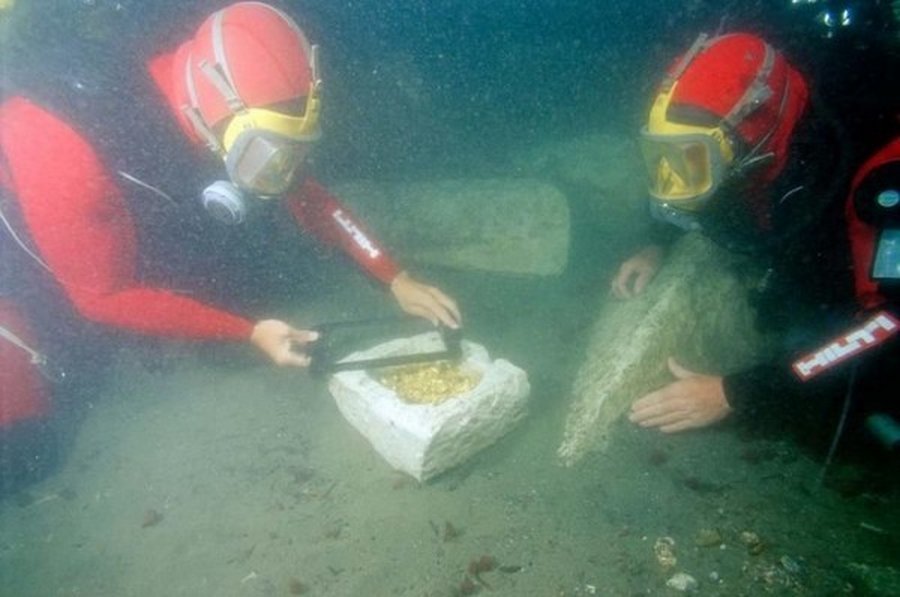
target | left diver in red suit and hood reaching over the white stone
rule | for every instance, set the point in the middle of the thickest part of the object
(66, 209)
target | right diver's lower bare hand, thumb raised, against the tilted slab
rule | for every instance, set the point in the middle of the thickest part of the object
(690, 402)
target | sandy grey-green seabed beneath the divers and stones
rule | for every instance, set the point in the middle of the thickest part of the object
(222, 477)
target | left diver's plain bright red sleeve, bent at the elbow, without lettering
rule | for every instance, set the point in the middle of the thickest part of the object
(78, 222)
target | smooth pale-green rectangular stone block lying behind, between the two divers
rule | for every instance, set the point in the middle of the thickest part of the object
(515, 226)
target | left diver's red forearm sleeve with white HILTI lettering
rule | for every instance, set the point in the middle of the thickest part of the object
(320, 213)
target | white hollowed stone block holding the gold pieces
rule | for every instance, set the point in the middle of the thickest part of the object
(427, 439)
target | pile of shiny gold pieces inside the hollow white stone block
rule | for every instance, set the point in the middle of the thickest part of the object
(428, 383)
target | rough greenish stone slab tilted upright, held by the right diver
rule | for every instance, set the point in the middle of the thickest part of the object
(696, 309)
